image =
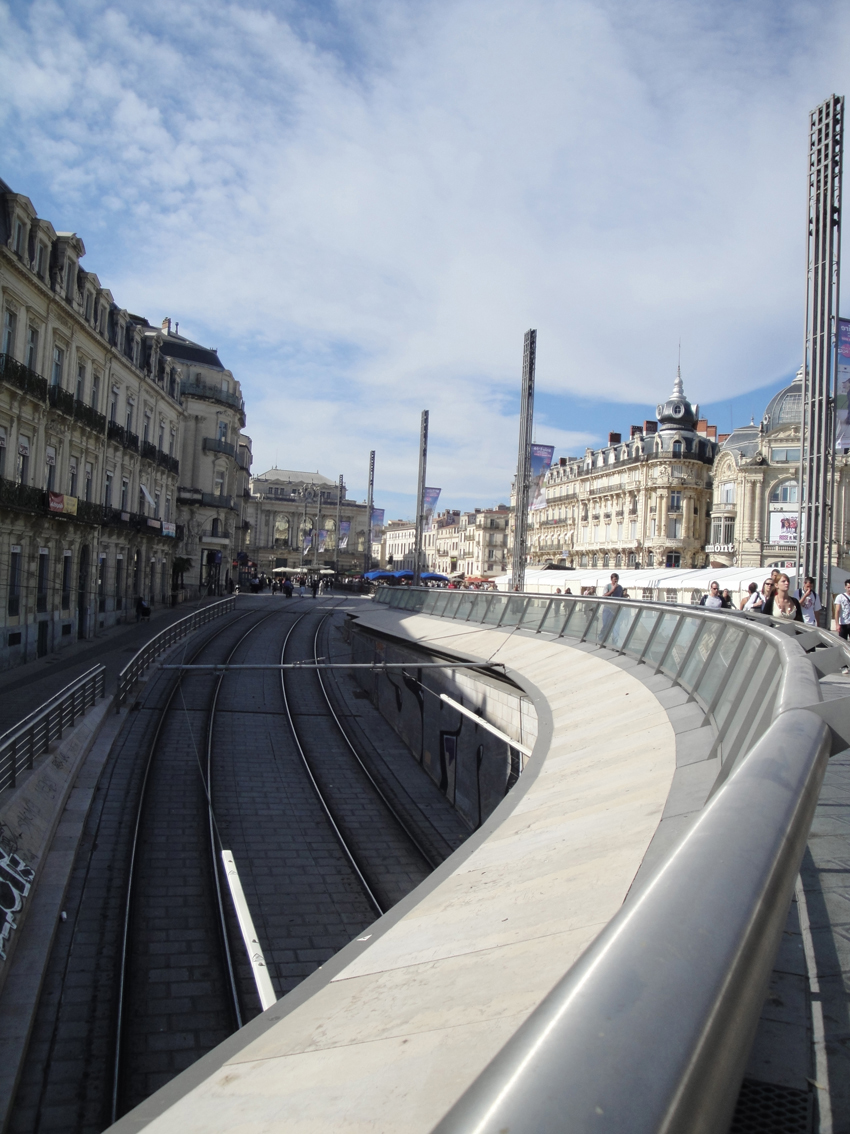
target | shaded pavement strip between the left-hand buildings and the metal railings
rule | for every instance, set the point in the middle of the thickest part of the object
(27, 688)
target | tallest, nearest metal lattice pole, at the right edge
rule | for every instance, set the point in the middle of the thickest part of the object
(820, 360)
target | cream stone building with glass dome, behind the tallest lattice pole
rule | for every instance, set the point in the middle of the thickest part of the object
(756, 492)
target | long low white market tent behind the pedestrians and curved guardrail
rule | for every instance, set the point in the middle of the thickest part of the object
(665, 585)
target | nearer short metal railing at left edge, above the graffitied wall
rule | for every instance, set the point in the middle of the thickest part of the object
(31, 739)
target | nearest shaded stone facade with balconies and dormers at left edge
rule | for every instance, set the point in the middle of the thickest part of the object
(90, 431)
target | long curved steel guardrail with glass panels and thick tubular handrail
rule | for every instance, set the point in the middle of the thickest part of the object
(652, 1028)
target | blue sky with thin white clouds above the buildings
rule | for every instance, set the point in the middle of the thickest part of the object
(364, 207)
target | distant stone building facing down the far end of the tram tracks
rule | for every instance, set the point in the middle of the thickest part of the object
(304, 520)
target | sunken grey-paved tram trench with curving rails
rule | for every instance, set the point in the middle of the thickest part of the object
(302, 891)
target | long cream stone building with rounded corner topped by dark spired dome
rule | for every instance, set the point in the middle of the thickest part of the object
(640, 503)
